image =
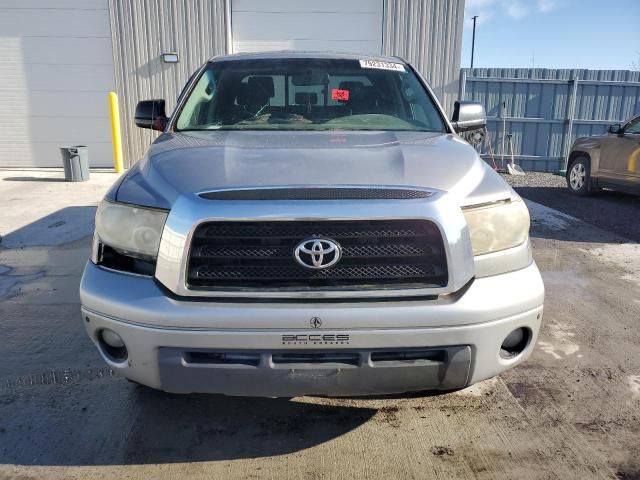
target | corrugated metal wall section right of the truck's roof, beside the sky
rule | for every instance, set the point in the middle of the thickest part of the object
(427, 33)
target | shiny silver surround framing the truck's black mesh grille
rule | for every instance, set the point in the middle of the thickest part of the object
(190, 211)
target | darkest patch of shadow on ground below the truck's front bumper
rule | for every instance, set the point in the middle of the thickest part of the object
(206, 427)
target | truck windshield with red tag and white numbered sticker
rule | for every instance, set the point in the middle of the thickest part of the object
(309, 94)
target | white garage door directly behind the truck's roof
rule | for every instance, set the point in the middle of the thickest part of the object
(335, 25)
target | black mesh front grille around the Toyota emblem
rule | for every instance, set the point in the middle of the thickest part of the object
(260, 255)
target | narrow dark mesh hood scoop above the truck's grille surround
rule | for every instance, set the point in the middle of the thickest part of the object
(364, 192)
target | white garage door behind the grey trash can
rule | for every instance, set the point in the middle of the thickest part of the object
(56, 67)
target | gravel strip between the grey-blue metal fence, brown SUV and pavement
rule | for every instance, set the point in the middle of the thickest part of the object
(612, 211)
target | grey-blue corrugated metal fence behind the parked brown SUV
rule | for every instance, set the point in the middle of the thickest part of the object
(545, 109)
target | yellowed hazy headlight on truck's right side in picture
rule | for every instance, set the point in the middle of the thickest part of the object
(497, 227)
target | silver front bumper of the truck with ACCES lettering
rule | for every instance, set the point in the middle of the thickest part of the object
(273, 349)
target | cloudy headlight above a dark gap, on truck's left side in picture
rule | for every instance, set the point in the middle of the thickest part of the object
(133, 231)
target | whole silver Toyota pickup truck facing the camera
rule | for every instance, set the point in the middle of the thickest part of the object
(311, 224)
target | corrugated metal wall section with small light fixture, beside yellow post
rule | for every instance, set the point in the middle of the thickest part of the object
(144, 29)
